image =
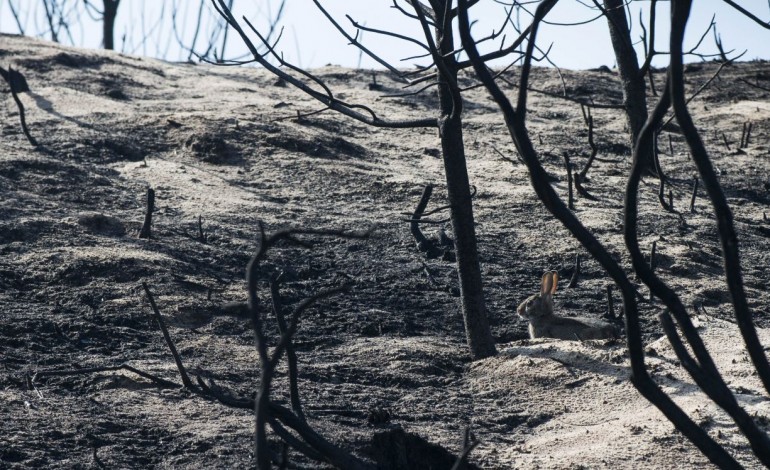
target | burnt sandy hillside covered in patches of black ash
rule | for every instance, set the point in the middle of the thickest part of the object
(223, 146)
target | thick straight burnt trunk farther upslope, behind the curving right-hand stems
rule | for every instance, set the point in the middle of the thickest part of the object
(634, 97)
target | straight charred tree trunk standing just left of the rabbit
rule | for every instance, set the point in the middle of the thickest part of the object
(474, 310)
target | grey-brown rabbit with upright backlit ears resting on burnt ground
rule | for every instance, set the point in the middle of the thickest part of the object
(538, 310)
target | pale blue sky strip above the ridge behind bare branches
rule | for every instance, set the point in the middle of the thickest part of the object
(309, 40)
